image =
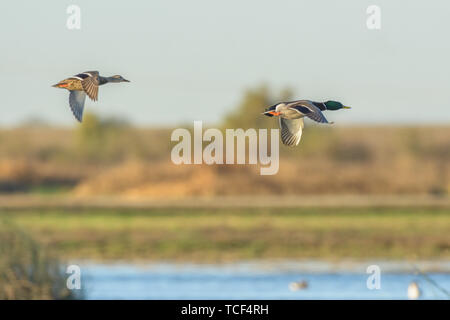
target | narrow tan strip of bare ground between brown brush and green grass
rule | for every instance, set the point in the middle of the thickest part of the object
(68, 201)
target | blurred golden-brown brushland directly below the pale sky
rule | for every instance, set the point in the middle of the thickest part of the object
(99, 158)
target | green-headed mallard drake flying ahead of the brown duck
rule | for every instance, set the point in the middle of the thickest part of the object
(291, 116)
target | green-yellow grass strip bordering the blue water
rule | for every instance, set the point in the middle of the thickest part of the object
(224, 234)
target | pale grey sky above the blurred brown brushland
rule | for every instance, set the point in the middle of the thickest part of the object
(191, 60)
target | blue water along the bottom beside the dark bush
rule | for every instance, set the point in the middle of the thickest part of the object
(250, 281)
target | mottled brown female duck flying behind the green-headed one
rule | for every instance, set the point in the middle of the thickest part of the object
(83, 84)
